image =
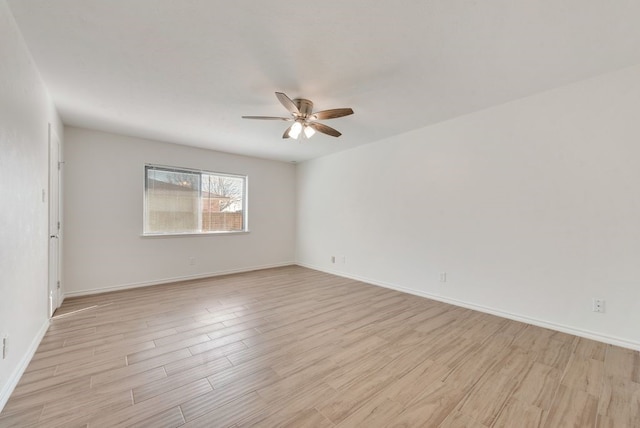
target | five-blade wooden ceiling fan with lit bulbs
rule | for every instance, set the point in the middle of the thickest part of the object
(304, 119)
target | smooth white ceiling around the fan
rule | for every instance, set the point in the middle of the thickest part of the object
(185, 71)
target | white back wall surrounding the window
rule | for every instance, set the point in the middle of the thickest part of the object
(103, 202)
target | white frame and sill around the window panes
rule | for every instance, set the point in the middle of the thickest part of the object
(169, 168)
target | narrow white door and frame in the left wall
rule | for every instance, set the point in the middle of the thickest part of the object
(54, 223)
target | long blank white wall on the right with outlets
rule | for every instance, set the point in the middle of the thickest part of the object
(532, 208)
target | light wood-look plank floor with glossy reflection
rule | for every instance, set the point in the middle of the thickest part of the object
(300, 348)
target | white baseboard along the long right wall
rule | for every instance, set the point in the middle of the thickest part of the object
(612, 340)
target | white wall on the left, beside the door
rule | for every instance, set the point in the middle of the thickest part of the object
(25, 112)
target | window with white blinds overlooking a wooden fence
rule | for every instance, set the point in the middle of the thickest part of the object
(186, 201)
